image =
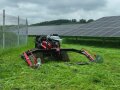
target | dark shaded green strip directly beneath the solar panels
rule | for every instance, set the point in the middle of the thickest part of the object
(98, 42)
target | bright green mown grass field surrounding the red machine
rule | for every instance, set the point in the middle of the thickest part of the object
(16, 75)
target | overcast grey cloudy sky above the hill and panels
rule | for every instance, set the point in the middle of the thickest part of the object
(45, 10)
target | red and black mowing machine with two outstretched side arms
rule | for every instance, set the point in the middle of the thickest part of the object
(49, 46)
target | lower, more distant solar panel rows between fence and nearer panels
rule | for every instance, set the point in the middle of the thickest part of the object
(57, 29)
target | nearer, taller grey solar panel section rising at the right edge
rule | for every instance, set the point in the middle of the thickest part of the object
(104, 27)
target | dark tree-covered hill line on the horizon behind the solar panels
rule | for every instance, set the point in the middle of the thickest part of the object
(63, 21)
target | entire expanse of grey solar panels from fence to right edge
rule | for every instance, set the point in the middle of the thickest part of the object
(103, 27)
